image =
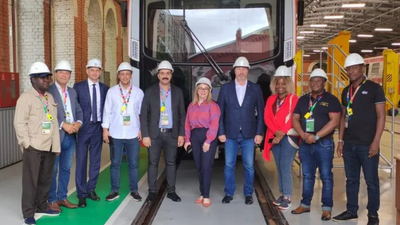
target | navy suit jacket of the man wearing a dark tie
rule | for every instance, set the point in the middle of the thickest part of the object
(82, 89)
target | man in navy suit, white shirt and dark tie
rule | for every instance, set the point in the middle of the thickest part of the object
(91, 96)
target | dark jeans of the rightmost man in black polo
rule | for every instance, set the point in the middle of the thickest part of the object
(356, 156)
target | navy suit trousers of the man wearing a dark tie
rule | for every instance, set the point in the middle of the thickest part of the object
(89, 139)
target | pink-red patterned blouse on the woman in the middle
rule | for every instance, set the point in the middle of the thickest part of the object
(203, 116)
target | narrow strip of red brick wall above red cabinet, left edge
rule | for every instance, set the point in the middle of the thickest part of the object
(4, 37)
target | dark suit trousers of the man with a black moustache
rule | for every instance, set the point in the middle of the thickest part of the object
(169, 145)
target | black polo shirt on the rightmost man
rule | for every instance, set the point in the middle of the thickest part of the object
(362, 124)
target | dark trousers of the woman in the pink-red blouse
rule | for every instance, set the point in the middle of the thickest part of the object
(204, 160)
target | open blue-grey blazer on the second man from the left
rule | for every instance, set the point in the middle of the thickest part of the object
(76, 108)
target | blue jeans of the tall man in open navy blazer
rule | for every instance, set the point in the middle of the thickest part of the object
(247, 149)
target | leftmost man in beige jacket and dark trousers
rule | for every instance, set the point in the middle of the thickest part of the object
(36, 127)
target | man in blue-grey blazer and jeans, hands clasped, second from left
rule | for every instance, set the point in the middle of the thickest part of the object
(70, 116)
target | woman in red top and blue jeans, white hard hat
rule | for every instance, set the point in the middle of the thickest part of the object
(280, 136)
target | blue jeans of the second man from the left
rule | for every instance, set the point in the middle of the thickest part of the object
(62, 162)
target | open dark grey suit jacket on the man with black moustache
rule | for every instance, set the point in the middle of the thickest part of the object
(150, 112)
